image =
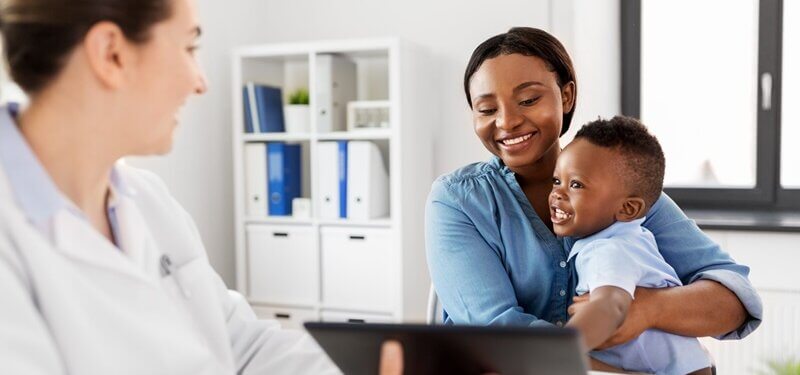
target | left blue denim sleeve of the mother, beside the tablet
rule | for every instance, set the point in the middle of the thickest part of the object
(467, 272)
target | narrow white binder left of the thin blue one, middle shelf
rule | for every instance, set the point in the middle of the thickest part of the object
(328, 167)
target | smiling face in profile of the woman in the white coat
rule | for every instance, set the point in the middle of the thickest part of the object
(165, 73)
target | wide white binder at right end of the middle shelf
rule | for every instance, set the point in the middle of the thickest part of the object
(367, 182)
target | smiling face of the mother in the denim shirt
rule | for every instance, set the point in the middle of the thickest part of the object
(518, 107)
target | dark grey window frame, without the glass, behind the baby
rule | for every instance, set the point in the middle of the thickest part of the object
(768, 193)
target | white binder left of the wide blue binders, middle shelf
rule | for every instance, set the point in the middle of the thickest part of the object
(255, 175)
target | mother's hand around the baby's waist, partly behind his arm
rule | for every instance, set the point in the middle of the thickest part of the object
(638, 319)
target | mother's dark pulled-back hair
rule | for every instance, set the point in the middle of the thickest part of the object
(527, 41)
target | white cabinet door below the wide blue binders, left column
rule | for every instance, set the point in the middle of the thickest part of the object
(283, 264)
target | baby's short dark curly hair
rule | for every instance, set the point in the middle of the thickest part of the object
(644, 162)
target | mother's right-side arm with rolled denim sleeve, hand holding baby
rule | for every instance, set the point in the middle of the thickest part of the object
(717, 299)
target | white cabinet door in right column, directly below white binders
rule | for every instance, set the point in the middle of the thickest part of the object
(357, 269)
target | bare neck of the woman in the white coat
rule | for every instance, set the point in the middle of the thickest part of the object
(68, 141)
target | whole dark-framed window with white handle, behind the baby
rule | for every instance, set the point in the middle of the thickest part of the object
(705, 76)
